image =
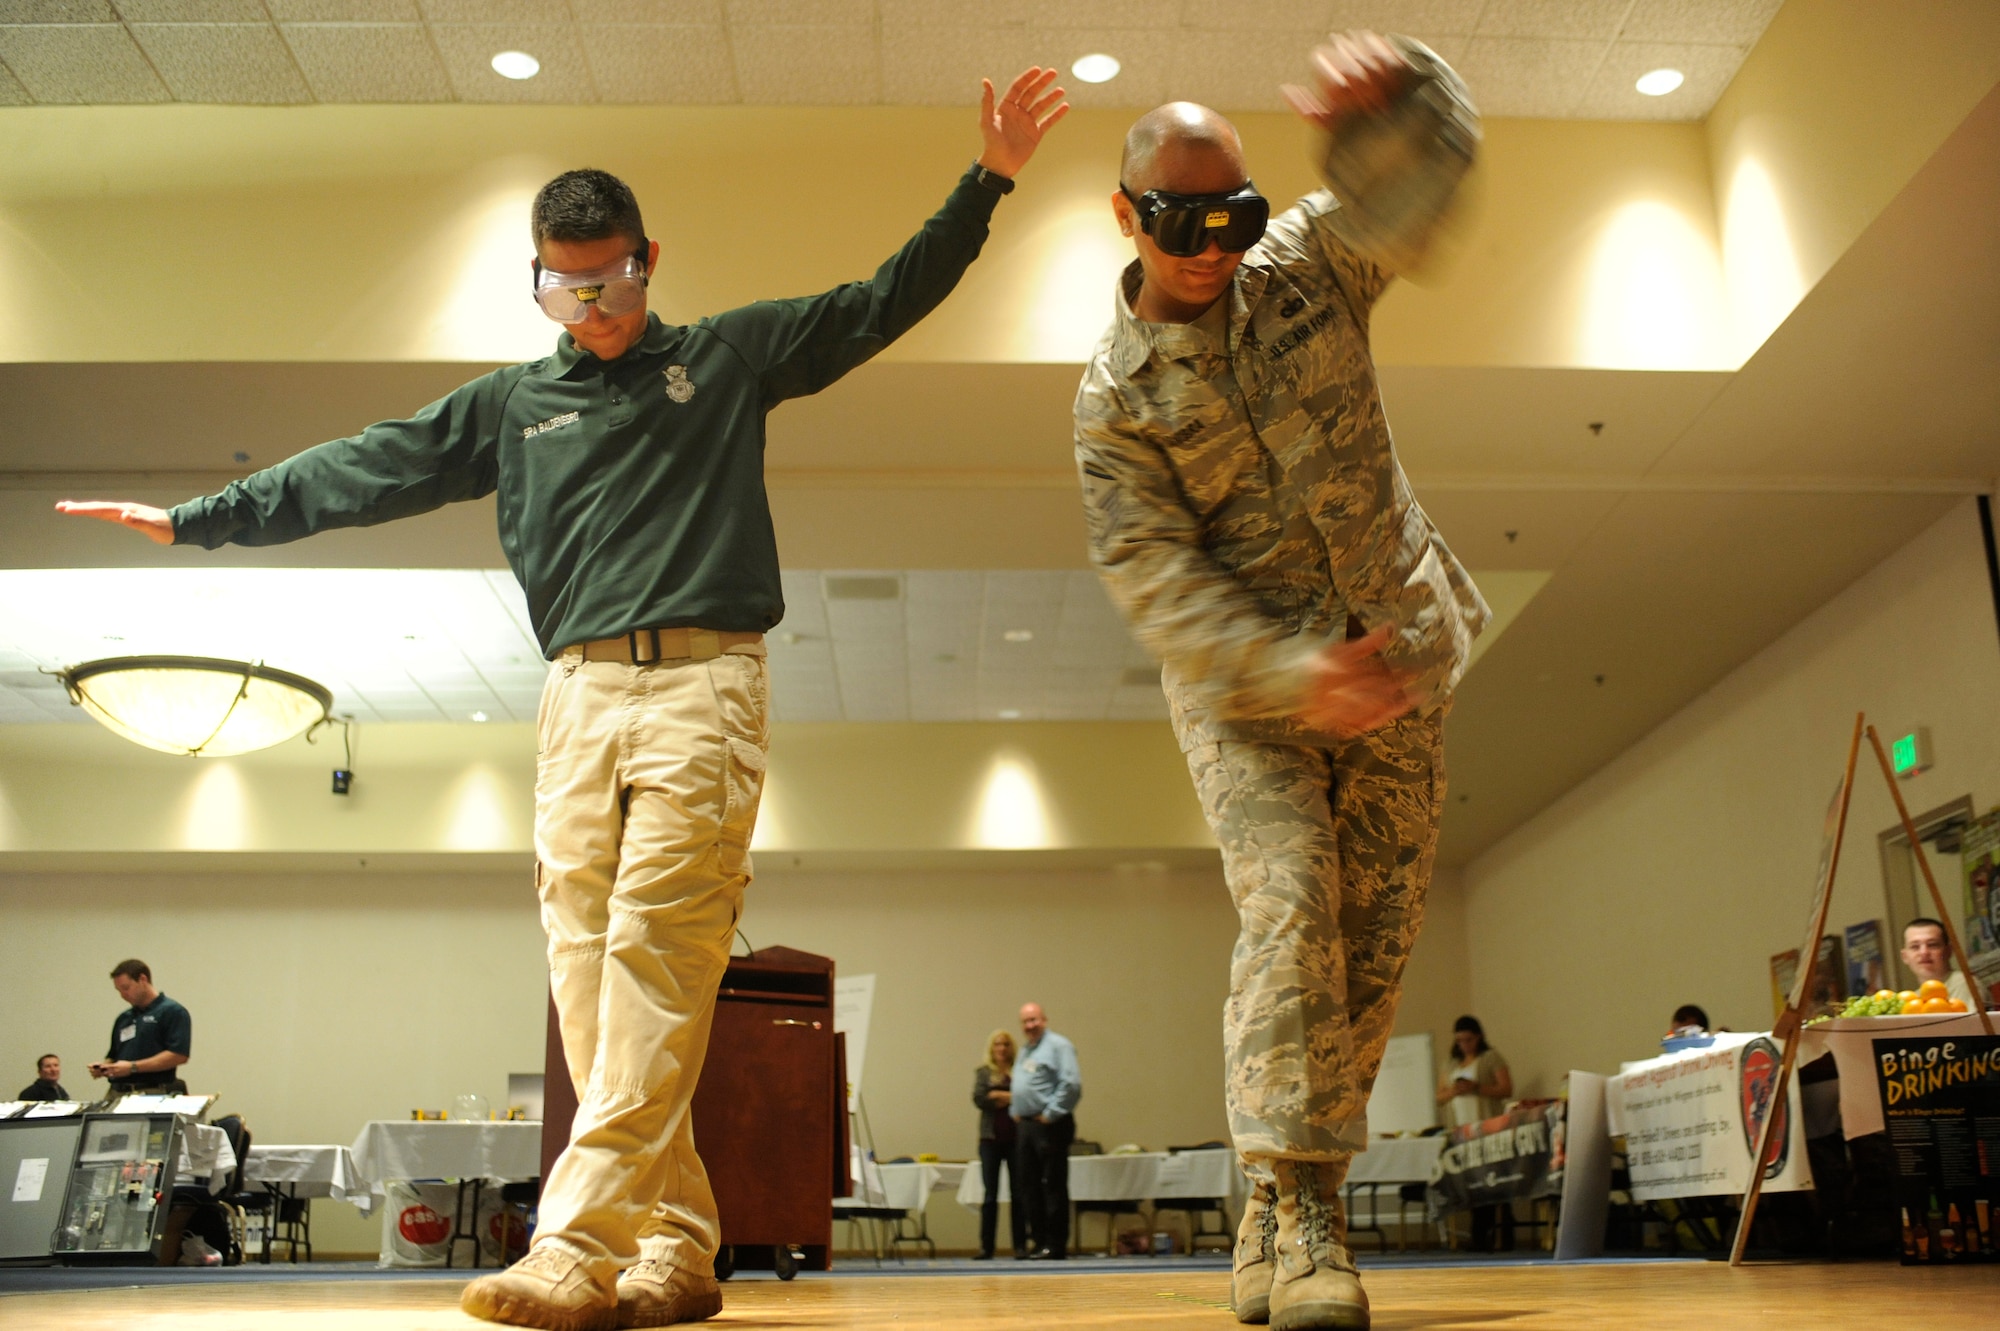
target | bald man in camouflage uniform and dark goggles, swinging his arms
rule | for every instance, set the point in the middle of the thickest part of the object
(1249, 517)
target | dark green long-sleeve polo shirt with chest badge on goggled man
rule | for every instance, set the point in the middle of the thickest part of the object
(631, 491)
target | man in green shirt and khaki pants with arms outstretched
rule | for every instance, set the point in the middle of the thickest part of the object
(631, 477)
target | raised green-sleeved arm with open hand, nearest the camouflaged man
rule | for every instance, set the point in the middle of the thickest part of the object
(801, 347)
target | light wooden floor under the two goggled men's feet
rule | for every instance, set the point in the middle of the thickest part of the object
(1695, 1296)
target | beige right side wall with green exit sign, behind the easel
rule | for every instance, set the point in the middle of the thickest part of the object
(1681, 868)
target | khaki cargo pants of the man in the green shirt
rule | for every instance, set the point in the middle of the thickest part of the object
(645, 798)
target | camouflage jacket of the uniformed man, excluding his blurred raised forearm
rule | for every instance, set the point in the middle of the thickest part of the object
(1245, 499)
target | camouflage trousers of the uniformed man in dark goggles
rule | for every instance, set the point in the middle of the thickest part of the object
(1327, 854)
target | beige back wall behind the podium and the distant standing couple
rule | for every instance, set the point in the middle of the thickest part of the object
(325, 1000)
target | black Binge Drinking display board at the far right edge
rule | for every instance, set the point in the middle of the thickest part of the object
(1941, 1104)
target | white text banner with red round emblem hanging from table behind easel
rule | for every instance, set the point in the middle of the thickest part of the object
(1691, 1120)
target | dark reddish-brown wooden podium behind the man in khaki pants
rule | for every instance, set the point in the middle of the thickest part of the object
(769, 1114)
